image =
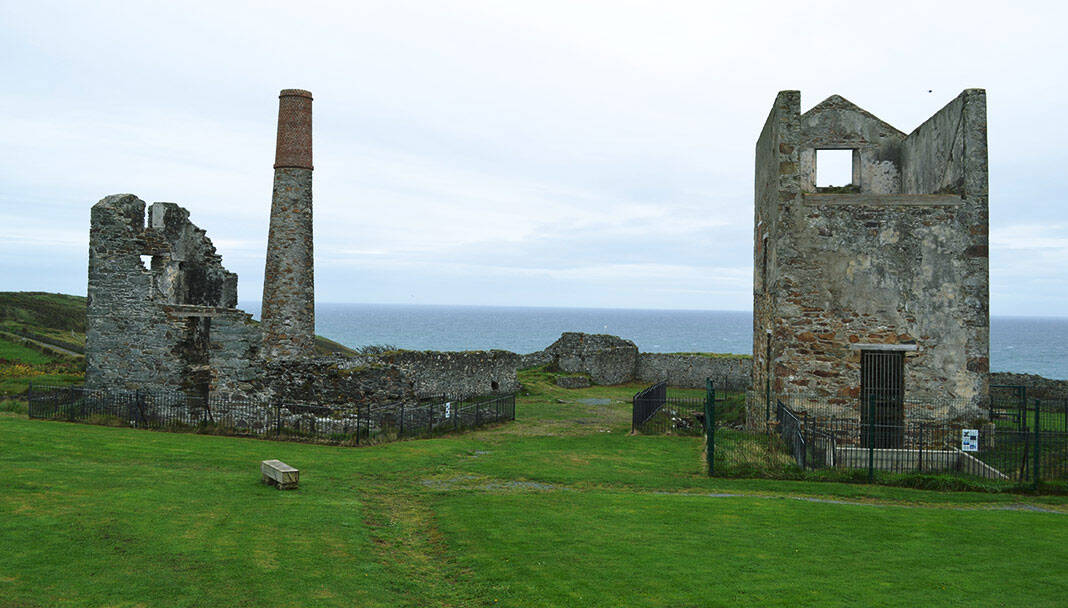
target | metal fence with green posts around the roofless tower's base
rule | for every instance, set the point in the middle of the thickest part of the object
(1027, 445)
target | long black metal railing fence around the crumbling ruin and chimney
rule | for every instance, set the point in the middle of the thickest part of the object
(284, 420)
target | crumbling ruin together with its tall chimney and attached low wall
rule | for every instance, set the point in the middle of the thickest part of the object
(162, 308)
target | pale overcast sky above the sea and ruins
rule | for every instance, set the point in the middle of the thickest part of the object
(577, 154)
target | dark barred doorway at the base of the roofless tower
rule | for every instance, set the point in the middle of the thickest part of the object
(883, 399)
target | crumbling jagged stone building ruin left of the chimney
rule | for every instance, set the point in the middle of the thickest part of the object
(171, 324)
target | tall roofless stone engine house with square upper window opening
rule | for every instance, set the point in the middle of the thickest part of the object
(881, 287)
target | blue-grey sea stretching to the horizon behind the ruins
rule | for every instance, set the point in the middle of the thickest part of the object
(1027, 345)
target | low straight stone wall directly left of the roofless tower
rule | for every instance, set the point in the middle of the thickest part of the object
(690, 371)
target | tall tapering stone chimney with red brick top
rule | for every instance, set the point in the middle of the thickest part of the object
(289, 303)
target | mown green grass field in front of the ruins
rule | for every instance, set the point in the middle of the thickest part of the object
(562, 508)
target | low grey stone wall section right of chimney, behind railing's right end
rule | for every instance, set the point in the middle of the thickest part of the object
(460, 375)
